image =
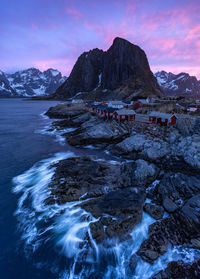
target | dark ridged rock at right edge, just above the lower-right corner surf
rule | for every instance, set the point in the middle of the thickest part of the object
(181, 228)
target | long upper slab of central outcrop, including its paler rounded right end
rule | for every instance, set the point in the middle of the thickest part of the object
(79, 177)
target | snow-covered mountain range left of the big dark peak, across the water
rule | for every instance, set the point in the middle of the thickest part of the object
(30, 82)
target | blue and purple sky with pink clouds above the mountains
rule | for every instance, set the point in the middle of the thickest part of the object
(53, 33)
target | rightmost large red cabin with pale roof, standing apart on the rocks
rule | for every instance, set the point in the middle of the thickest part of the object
(163, 119)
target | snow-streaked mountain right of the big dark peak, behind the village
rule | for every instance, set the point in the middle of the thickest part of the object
(178, 85)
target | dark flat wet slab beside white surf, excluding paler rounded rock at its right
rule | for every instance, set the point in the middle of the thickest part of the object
(83, 177)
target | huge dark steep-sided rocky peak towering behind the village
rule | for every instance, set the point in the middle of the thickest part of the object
(121, 72)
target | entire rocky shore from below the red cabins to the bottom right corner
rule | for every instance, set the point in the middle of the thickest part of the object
(163, 165)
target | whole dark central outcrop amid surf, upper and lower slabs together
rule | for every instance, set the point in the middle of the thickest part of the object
(113, 193)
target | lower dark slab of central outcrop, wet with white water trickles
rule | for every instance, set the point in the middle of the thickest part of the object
(122, 207)
